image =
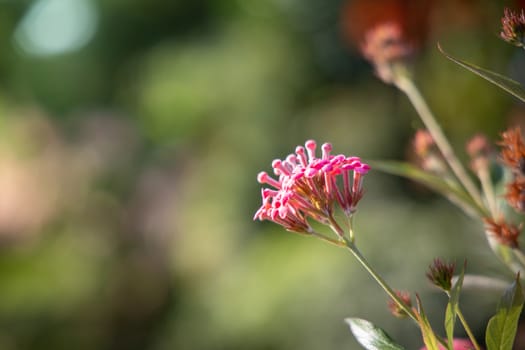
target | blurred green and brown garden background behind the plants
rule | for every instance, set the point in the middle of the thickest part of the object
(131, 133)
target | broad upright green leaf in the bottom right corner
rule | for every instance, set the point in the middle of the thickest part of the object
(502, 327)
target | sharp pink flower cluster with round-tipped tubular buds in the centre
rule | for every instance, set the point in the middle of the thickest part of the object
(308, 187)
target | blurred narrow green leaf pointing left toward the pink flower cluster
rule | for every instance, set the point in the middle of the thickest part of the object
(450, 190)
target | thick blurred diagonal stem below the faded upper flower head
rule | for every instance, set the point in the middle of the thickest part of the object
(406, 85)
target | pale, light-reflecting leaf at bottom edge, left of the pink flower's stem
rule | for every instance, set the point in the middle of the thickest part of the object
(370, 336)
